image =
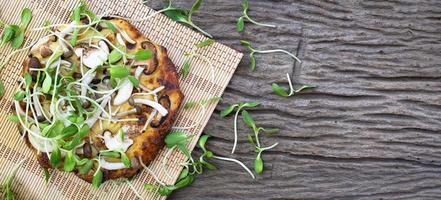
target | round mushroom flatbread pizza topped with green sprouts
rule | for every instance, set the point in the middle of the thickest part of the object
(98, 99)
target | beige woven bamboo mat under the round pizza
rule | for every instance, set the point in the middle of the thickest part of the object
(29, 182)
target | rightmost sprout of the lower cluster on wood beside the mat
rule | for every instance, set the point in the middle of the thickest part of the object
(258, 162)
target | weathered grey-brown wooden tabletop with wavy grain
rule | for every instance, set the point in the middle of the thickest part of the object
(371, 130)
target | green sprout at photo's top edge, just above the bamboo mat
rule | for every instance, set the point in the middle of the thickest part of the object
(184, 16)
